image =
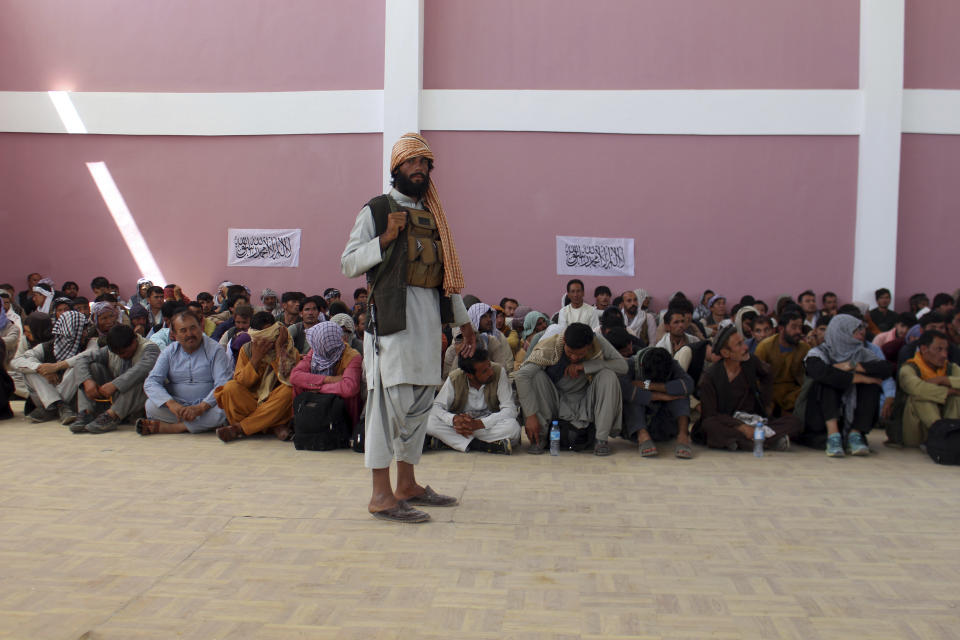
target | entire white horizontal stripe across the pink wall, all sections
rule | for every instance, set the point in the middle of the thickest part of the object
(318, 112)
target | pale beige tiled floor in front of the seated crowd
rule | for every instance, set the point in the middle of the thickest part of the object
(119, 536)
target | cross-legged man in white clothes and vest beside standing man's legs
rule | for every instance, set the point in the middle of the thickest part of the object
(474, 410)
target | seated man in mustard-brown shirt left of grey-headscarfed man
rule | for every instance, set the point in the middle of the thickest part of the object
(784, 353)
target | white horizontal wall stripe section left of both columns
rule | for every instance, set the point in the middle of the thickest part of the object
(200, 114)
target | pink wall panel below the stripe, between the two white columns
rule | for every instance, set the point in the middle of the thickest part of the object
(735, 214)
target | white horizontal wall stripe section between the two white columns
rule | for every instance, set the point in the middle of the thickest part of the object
(726, 112)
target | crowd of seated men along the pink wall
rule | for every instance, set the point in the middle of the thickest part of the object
(698, 372)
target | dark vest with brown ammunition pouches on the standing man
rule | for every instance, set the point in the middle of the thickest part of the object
(415, 258)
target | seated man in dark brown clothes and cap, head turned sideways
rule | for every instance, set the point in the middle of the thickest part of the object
(739, 382)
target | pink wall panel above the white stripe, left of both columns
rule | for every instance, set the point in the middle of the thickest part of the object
(185, 45)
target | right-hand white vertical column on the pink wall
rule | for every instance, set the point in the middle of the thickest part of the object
(878, 185)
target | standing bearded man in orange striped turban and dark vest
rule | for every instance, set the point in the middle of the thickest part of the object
(402, 243)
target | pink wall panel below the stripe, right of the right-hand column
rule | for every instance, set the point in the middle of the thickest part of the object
(927, 231)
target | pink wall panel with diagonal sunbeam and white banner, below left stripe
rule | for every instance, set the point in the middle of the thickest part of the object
(183, 193)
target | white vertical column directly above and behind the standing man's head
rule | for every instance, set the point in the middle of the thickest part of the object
(402, 73)
